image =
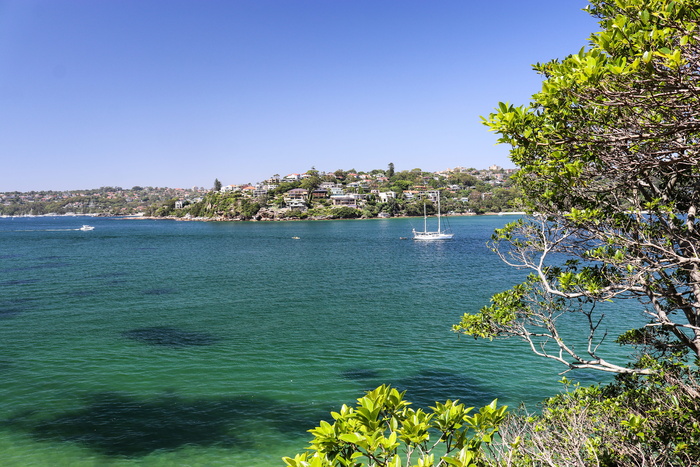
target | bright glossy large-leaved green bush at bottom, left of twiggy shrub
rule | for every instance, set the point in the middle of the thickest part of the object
(383, 431)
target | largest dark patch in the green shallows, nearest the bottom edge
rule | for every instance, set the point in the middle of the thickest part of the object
(125, 426)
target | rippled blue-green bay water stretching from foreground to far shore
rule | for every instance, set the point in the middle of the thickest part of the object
(185, 343)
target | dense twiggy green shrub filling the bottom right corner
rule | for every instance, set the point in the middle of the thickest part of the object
(635, 421)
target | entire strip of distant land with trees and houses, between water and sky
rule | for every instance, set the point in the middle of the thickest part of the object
(312, 195)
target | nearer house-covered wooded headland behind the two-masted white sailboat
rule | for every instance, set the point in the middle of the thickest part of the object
(350, 194)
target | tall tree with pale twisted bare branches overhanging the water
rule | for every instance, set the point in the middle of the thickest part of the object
(610, 175)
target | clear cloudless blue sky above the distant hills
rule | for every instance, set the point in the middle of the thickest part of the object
(179, 92)
